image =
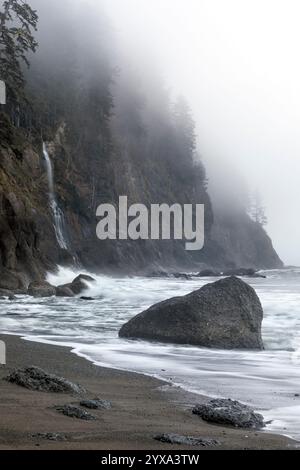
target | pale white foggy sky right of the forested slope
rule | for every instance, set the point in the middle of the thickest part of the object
(237, 62)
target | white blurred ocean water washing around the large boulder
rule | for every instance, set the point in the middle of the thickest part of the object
(269, 380)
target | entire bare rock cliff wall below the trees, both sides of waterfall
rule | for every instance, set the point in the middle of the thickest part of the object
(91, 167)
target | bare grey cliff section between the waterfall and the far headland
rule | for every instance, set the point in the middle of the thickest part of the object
(85, 179)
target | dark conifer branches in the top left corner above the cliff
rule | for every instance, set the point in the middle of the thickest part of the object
(17, 23)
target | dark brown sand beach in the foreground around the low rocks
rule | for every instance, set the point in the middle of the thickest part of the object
(141, 408)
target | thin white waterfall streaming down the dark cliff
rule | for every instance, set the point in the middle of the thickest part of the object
(58, 216)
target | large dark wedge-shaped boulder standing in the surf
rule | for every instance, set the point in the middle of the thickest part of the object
(226, 314)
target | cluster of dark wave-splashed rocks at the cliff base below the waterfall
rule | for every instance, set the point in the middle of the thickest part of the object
(12, 284)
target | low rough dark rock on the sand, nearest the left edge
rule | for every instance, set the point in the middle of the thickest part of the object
(36, 379)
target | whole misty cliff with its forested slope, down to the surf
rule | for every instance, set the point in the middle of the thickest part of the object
(108, 134)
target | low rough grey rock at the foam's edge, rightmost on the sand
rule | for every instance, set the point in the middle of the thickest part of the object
(230, 413)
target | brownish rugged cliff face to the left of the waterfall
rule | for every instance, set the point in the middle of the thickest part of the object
(28, 245)
